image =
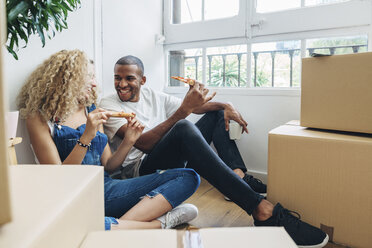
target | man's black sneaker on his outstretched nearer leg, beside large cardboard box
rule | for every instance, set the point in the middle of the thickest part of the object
(303, 234)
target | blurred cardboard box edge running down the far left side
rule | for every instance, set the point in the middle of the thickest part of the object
(5, 213)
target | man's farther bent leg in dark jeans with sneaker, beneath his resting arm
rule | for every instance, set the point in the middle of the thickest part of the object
(212, 126)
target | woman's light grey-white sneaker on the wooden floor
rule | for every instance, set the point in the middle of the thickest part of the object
(178, 215)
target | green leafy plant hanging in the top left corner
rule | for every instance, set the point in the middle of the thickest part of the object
(43, 17)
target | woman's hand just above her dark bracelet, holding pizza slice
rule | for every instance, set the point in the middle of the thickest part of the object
(94, 121)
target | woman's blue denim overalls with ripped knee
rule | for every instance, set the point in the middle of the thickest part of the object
(175, 185)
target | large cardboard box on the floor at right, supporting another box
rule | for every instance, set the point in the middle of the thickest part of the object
(326, 177)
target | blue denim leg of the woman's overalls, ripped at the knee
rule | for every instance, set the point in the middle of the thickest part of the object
(175, 185)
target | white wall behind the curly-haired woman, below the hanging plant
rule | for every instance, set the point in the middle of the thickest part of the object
(78, 36)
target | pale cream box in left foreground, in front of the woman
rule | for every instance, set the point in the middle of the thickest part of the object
(53, 206)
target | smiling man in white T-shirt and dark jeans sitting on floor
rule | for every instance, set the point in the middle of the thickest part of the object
(170, 141)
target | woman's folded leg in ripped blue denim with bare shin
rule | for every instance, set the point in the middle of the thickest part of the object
(148, 197)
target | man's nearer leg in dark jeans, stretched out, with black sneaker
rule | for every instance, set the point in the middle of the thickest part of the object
(184, 142)
